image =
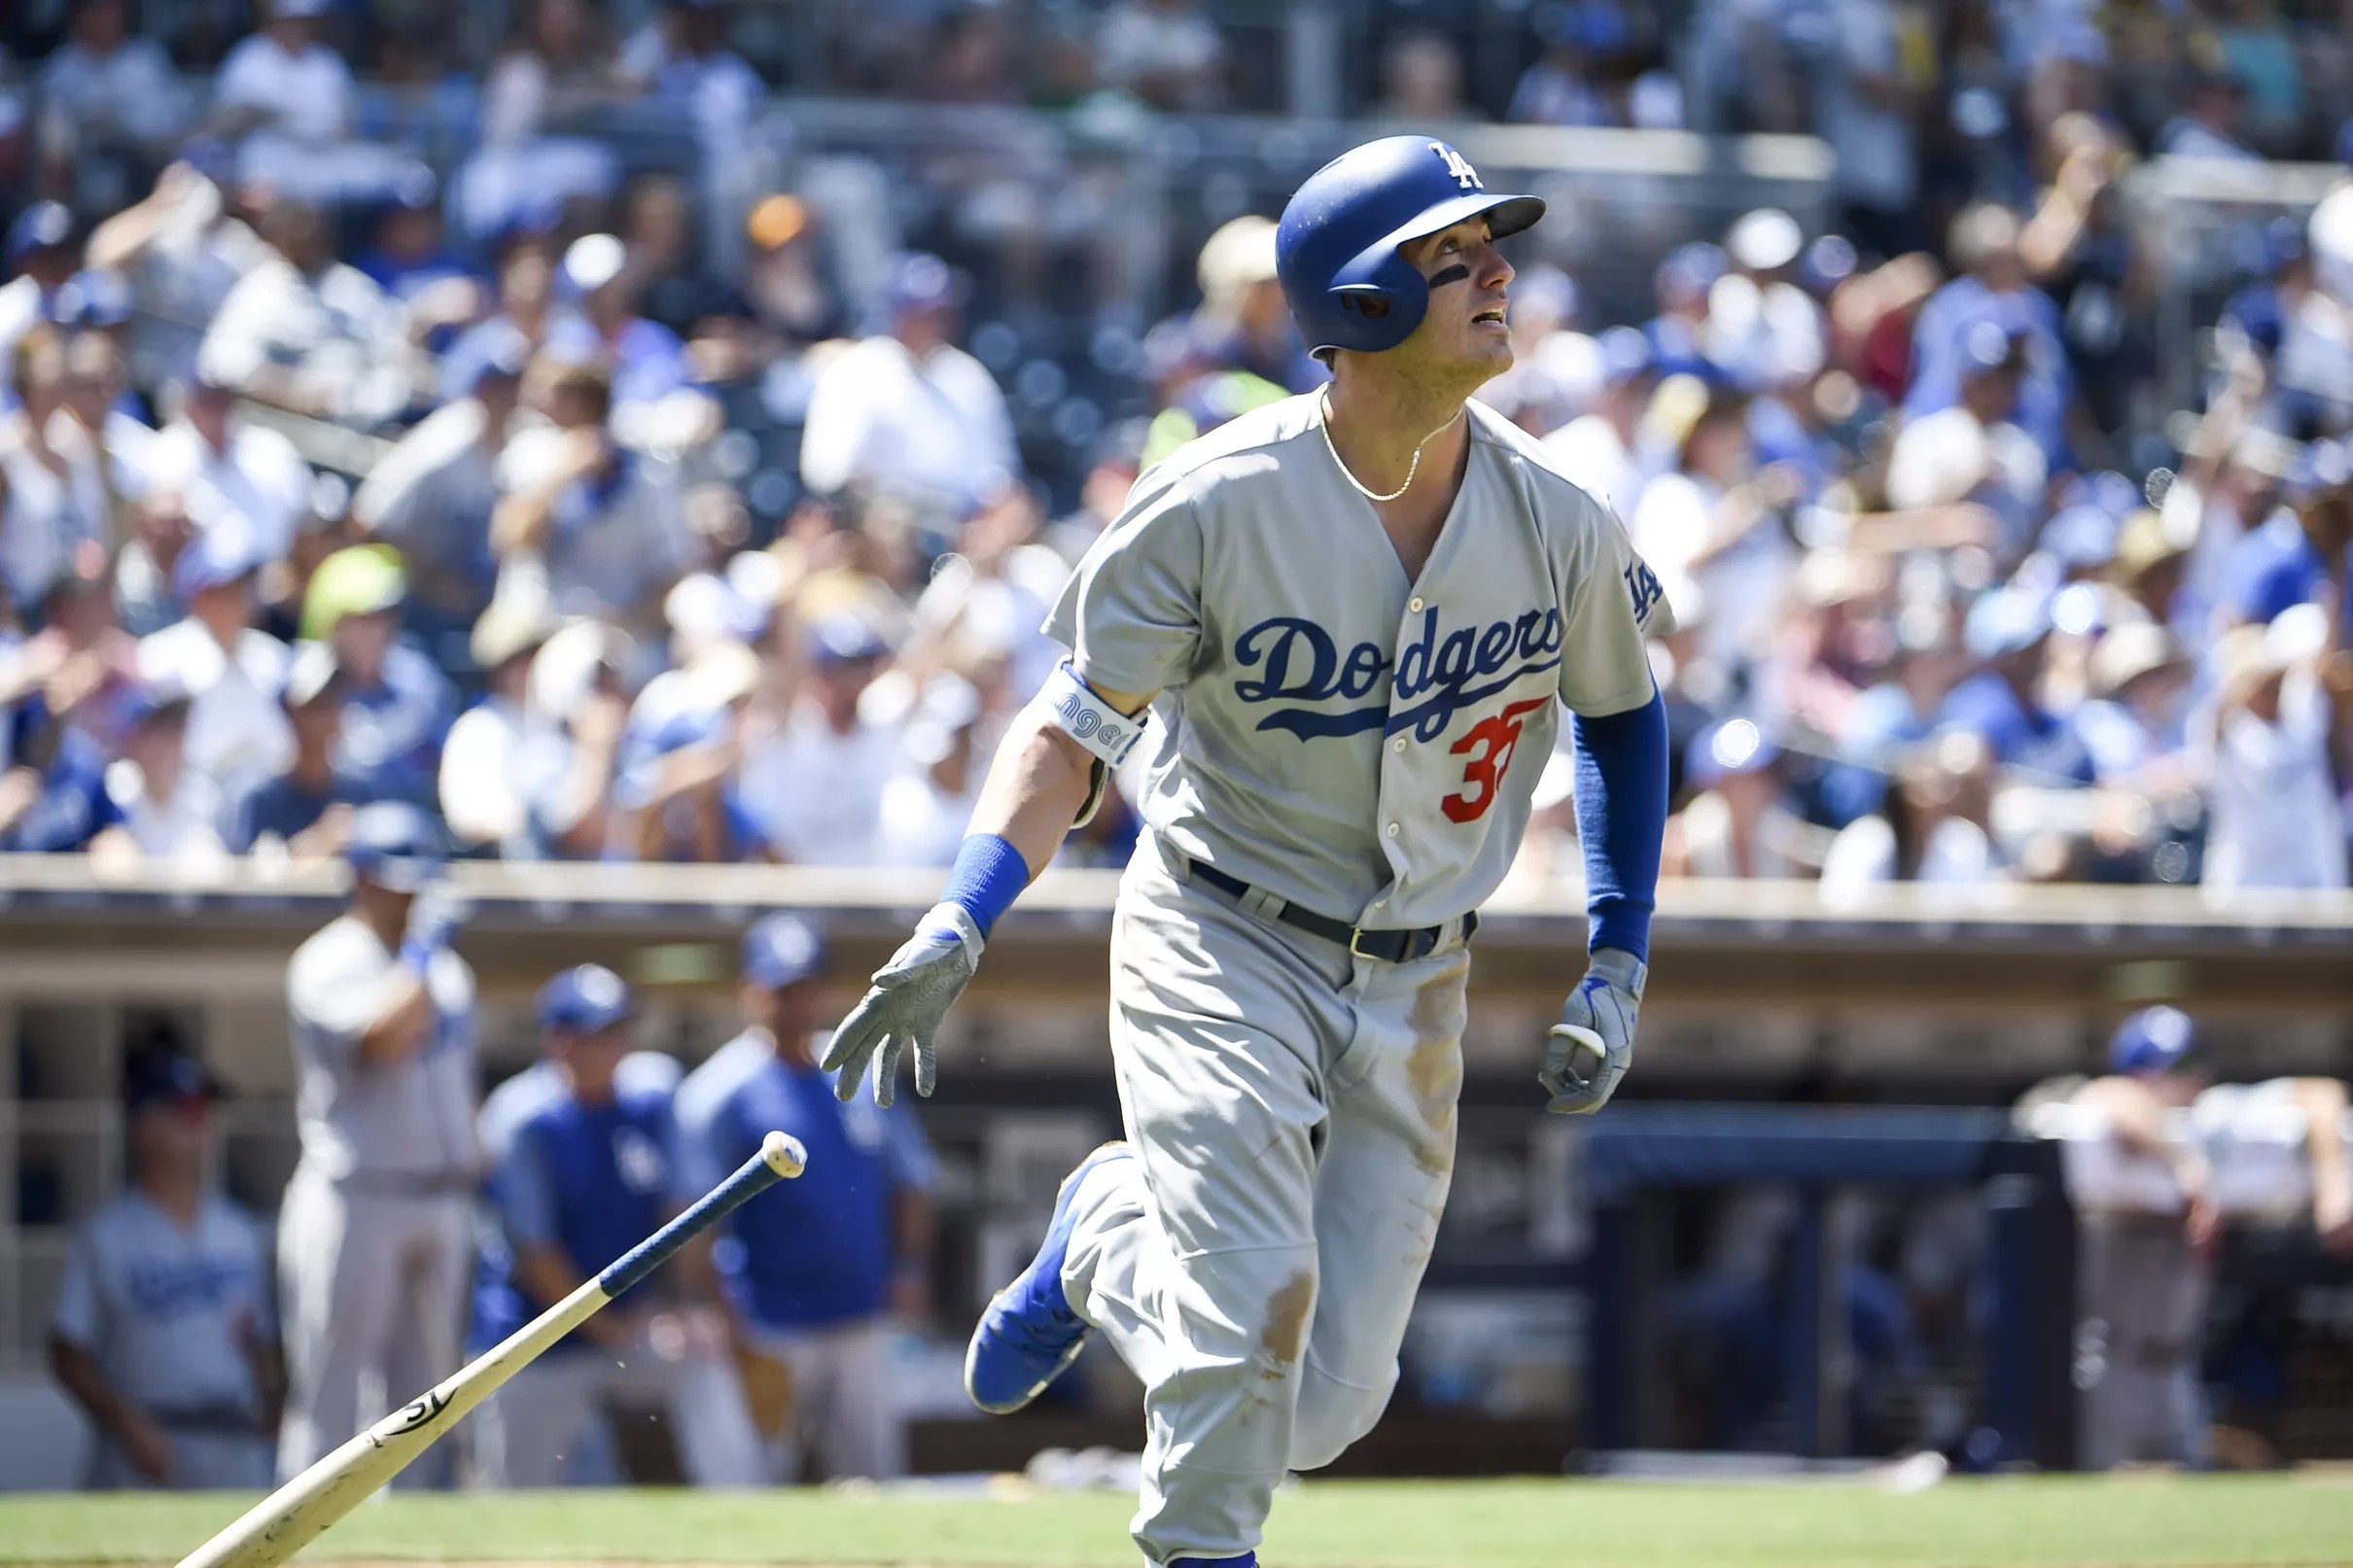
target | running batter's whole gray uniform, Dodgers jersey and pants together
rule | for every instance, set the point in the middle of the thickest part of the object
(1366, 746)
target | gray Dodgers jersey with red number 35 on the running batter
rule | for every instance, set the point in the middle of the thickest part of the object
(1328, 730)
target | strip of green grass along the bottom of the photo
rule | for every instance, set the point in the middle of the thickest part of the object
(1495, 1525)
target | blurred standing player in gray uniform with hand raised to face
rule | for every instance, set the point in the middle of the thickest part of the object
(378, 1224)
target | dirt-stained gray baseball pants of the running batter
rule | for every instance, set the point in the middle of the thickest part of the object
(1293, 1115)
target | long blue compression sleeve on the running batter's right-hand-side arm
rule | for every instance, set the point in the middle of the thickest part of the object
(1622, 819)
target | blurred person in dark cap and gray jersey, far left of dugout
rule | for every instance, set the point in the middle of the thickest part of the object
(164, 1329)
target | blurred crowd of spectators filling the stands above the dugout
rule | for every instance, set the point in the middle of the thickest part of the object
(693, 514)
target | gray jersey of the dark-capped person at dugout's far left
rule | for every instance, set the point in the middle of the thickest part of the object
(168, 1313)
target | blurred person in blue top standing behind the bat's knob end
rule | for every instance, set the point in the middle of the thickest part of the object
(820, 1273)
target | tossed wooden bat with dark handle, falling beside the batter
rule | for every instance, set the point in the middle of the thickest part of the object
(300, 1513)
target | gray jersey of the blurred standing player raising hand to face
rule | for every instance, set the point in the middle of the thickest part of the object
(413, 1120)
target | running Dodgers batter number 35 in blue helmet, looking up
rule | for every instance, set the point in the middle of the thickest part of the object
(1347, 624)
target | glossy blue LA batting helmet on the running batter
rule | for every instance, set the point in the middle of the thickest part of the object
(1338, 243)
